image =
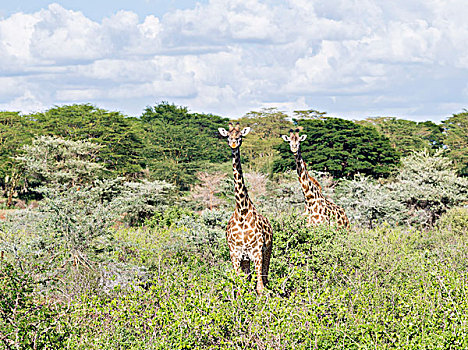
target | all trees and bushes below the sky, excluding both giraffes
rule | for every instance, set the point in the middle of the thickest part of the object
(112, 232)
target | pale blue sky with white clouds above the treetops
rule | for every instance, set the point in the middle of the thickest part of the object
(350, 58)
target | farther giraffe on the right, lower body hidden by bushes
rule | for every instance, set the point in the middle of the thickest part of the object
(318, 208)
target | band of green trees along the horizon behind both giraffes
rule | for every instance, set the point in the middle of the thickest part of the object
(167, 142)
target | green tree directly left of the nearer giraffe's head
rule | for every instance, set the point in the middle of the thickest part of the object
(178, 142)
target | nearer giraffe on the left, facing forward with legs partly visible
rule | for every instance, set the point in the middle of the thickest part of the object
(249, 235)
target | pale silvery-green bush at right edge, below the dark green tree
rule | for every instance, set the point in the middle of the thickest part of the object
(424, 188)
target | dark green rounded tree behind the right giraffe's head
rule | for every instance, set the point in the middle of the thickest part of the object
(341, 148)
